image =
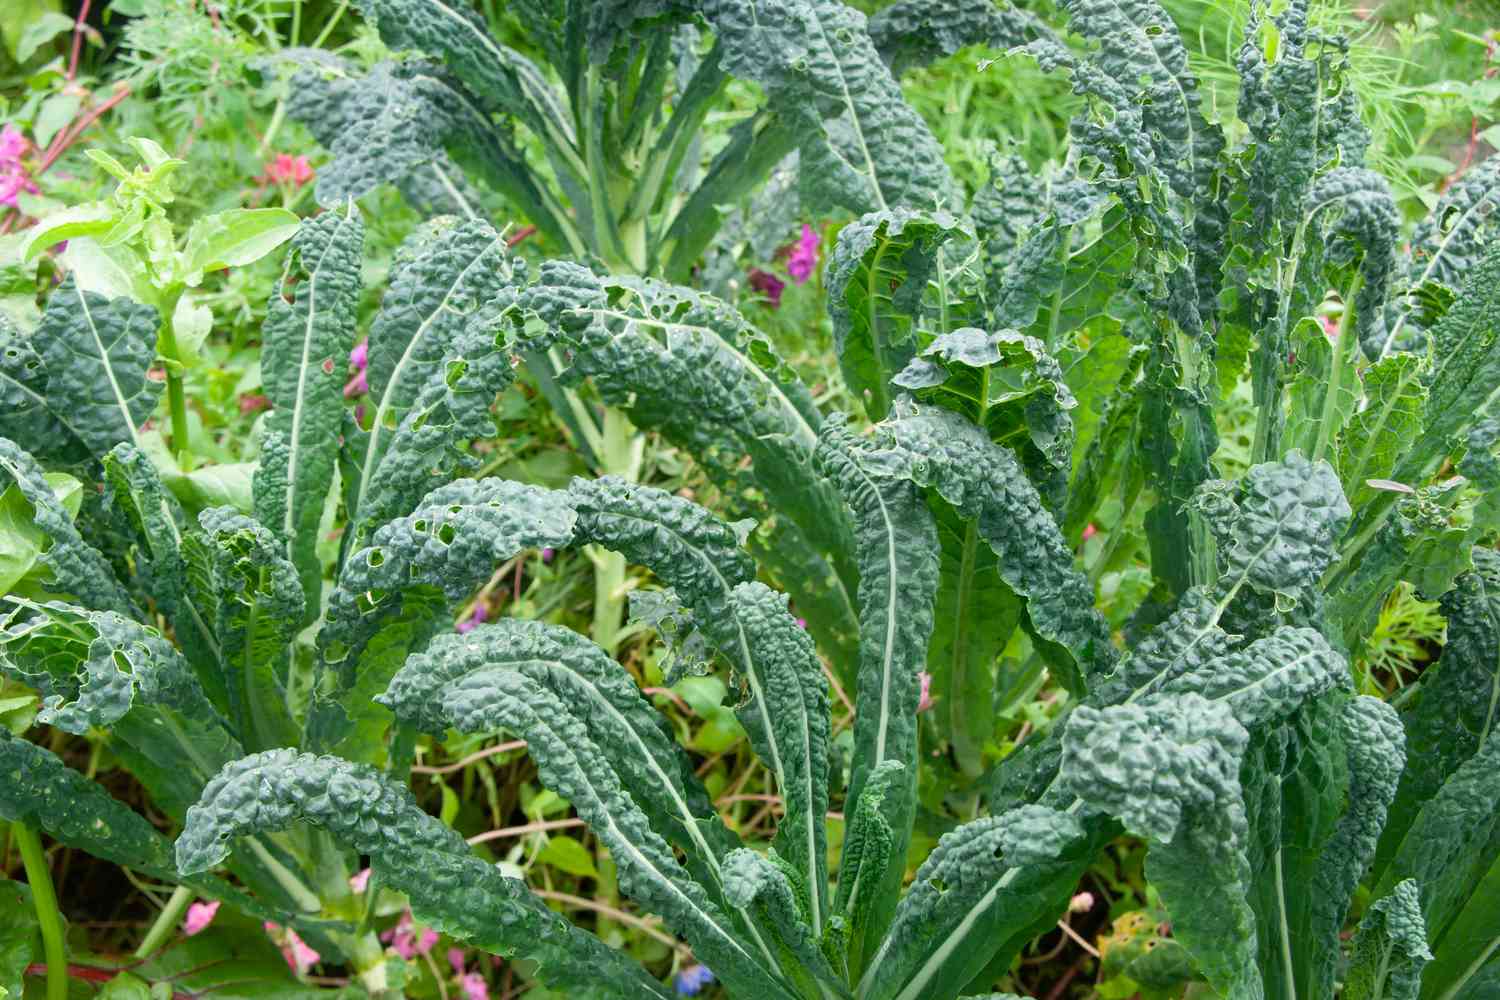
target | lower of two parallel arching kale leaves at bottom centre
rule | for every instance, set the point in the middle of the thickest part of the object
(578, 768)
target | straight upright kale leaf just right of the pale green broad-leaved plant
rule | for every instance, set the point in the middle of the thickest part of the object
(308, 335)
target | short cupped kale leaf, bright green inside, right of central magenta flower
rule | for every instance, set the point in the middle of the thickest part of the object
(877, 283)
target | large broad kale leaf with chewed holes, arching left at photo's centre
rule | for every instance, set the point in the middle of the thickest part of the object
(692, 368)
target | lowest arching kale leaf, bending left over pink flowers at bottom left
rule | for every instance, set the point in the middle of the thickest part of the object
(412, 852)
